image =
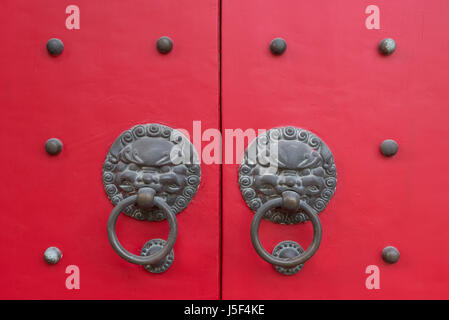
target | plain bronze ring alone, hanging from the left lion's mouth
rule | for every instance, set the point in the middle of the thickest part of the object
(153, 258)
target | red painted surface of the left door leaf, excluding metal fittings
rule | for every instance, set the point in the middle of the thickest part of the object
(109, 78)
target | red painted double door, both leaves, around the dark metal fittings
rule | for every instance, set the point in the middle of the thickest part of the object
(330, 81)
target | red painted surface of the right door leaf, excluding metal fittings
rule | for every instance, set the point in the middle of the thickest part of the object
(333, 82)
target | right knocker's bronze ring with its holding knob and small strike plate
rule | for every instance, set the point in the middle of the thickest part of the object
(290, 200)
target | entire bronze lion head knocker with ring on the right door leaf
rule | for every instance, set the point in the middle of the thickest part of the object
(287, 176)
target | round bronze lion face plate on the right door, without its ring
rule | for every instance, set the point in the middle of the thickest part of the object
(287, 158)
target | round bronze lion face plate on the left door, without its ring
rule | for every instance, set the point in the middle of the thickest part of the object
(154, 156)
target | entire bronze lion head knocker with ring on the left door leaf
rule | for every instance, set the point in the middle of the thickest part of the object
(150, 173)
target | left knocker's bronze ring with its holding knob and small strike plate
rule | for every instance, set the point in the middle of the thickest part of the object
(157, 254)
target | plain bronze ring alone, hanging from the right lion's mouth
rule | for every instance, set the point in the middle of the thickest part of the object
(286, 262)
